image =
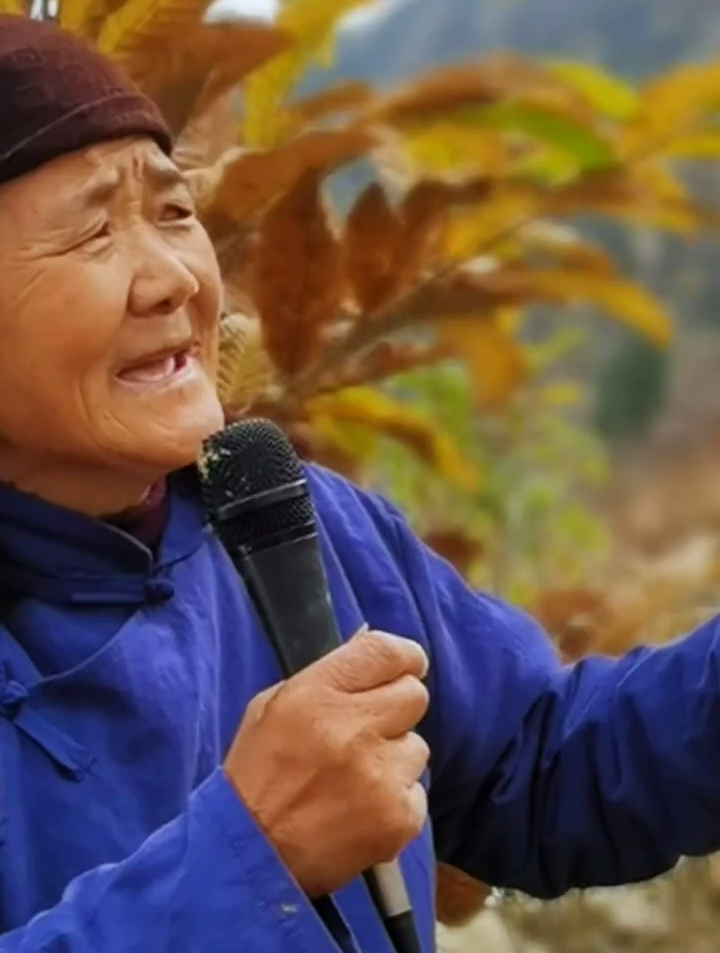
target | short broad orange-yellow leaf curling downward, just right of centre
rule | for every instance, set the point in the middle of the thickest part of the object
(494, 360)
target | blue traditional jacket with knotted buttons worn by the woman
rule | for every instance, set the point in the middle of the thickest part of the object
(124, 678)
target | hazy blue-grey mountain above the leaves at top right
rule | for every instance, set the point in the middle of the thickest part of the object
(634, 37)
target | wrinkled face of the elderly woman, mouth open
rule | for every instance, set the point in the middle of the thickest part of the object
(109, 309)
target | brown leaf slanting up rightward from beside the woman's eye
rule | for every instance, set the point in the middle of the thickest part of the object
(251, 181)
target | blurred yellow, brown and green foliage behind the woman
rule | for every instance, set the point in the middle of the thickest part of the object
(397, 341)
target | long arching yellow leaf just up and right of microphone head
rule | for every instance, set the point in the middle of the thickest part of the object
(382, 415)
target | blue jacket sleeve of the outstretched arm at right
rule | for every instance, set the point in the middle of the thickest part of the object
(549, 777)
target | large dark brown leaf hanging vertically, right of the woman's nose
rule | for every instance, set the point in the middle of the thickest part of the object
(297, 275)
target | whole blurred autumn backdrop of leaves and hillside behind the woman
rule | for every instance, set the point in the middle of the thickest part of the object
(471, 257)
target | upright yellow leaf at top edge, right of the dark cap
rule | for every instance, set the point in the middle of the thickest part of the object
(312, 23)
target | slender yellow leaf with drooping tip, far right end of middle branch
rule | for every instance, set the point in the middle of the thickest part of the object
(629, 303)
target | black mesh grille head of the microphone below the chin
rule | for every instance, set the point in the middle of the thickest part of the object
(239, 464)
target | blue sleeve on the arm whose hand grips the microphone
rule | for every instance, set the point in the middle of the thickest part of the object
(208, 882)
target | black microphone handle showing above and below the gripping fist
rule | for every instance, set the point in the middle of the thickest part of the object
(287, 585)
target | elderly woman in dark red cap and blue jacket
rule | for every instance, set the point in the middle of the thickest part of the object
(161, 789)
